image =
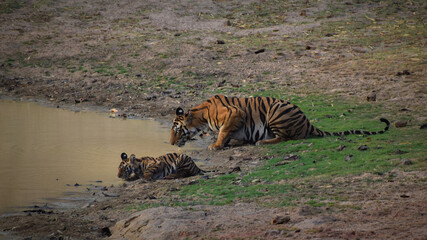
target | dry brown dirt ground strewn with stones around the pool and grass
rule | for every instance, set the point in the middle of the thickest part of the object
(147, 57)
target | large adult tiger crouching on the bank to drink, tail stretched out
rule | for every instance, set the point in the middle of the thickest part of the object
(259, 120)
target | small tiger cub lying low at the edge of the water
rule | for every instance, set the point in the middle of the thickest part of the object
(171, 165)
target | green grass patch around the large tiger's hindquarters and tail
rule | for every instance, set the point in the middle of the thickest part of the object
(281, 183)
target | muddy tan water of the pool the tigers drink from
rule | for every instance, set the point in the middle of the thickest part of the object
(43, 149)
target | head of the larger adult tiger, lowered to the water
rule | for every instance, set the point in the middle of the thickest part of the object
(179, 132)
